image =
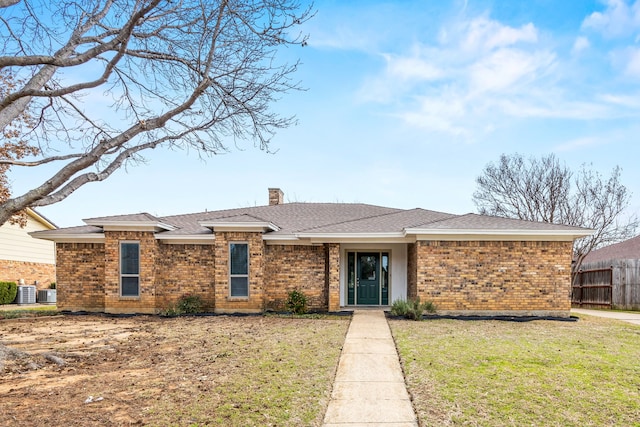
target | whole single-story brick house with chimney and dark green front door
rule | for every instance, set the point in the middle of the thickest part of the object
(340, 255)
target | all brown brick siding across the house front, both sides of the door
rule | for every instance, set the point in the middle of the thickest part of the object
(456, 276)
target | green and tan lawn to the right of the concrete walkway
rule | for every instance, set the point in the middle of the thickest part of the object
(490, 373)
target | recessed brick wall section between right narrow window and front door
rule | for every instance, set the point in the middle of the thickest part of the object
(288, 268)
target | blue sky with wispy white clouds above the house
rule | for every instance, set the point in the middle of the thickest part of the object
(407, 101)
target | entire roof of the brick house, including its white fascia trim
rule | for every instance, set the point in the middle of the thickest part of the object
(321, 222)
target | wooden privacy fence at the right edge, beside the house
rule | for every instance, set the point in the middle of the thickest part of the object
(613, 283)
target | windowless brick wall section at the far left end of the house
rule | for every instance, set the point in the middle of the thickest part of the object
(80, 276)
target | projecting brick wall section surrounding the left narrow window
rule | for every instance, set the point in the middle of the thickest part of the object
(146, 301)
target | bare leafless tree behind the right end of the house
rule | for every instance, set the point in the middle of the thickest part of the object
(546, 190)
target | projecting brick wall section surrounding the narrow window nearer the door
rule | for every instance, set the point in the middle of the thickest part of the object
(256, 300)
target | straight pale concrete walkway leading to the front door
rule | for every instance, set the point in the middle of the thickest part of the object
(369, 387)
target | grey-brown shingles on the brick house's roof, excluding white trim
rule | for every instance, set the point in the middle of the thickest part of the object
(316, 219)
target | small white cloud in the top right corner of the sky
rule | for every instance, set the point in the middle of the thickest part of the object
(620, 19)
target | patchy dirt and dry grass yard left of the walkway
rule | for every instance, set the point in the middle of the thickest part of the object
(96, 370)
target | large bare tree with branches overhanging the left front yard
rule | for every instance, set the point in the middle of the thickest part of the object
(178, 74)
